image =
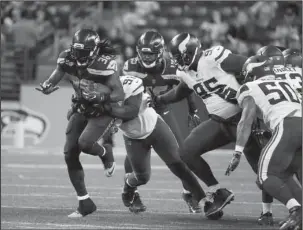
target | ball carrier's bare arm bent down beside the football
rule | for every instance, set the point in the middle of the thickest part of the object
(114, 83)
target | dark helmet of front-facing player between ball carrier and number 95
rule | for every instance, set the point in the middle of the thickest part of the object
(150, 48)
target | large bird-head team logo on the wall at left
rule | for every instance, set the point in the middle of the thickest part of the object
(36, 125)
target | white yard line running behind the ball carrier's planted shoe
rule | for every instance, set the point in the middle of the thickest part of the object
(149, 210)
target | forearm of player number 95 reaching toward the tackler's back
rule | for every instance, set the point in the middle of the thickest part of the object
(176, 94)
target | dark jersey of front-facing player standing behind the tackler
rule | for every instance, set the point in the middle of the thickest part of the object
(157, 80)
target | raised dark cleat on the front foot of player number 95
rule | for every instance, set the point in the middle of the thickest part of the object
(222, 197)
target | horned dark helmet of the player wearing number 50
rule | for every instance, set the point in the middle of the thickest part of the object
(256, 67)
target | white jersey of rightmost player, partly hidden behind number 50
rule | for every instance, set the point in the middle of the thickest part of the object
(291, 74)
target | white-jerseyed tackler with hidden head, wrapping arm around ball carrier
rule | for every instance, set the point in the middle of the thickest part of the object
(144, 129)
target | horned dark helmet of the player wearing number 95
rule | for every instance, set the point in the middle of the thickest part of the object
(184, 48)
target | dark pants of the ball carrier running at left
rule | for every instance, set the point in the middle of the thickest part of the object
(82, 135)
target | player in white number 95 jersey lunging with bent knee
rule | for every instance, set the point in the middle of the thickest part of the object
(211, 75)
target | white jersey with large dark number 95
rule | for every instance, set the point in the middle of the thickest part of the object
(213, 84)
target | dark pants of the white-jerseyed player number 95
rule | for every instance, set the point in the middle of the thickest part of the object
(209, 135)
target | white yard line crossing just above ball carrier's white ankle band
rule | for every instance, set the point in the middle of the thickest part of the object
(107, 188)
